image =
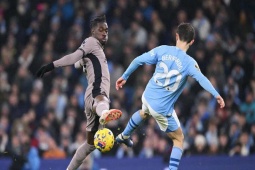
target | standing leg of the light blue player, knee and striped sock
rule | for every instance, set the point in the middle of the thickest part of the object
(176, 154)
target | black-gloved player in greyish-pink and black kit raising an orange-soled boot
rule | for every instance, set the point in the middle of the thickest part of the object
(91, 56)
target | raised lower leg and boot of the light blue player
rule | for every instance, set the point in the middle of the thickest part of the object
(133, 123)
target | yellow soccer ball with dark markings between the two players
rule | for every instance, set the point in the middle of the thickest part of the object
(104, 140)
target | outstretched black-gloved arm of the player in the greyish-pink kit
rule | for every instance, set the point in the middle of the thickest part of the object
(67, 60)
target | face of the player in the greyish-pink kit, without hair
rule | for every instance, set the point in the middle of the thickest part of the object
(100, 32)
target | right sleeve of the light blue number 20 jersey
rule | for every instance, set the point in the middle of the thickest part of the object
(194, 71)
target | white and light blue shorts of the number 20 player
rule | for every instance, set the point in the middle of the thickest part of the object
(165, 123)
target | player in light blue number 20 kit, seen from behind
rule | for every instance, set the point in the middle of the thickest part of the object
(173, 66)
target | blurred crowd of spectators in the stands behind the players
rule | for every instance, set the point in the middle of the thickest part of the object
(43, 119)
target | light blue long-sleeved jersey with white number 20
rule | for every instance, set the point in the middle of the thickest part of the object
(173, 66)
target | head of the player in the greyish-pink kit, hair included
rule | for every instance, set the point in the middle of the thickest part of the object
(99, 28)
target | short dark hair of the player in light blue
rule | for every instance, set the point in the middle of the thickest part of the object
(186, 32)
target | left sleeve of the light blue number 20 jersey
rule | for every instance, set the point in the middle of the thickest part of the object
(146, 58)
